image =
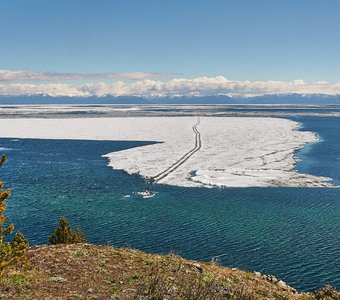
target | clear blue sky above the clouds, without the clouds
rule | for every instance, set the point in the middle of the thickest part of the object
(243, 40)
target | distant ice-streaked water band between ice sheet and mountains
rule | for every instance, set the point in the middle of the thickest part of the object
(171, 110)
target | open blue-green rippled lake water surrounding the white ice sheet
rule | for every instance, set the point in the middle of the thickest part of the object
(293, 233)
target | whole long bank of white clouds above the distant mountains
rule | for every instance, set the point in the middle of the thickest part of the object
(142, 86)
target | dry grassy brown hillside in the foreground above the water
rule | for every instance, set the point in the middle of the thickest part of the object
(83, 271)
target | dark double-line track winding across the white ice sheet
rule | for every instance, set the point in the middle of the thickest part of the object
(183, 159)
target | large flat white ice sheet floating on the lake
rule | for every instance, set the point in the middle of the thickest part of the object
(233, 152)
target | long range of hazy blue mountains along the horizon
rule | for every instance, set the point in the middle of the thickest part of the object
(202, 100)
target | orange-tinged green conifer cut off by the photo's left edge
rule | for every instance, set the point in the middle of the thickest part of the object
(11, 253)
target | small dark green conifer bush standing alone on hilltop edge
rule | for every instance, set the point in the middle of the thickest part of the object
(64, 234)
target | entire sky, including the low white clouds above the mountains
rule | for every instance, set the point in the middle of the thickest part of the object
(237, 47)
